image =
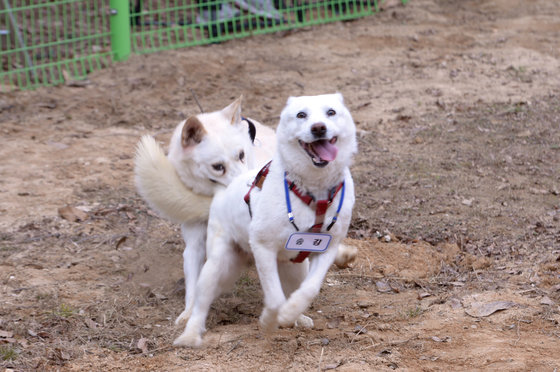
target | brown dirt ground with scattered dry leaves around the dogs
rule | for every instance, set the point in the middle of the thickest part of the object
(457, 105)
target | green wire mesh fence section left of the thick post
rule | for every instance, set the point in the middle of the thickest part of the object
(48, 42)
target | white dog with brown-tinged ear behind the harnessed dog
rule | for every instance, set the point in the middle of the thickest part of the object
(206, 152)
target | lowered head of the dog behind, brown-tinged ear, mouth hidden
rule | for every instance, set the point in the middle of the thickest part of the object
(210, 149)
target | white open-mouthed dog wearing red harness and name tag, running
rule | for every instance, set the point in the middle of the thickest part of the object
(305, 205)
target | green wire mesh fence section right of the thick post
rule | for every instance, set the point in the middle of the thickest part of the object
(166, 24)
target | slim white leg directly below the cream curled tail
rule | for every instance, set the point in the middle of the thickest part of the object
(193, 259)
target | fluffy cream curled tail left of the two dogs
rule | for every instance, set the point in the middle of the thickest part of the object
(160, 186)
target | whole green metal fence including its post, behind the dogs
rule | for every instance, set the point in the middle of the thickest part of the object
(47, 42)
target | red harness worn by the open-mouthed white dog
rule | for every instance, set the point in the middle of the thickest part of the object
(320, 206)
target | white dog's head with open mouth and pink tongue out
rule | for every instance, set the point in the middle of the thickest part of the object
(317, 130)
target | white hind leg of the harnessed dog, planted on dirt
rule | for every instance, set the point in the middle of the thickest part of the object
(221, 269)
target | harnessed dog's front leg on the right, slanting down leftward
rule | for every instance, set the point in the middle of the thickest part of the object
(300, 299)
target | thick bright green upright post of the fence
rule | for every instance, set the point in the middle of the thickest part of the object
(120, 29)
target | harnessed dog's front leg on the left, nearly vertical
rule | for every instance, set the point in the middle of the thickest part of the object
(267, 267)
